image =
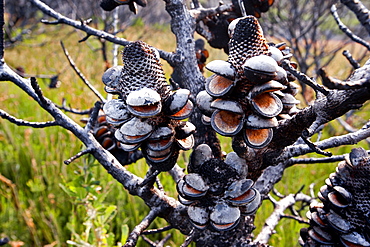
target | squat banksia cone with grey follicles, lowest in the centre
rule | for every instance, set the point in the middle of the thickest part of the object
(217, 192)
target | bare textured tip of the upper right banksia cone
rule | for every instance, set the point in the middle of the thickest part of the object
(247, 41)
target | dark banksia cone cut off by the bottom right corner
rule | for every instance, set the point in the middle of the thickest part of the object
(343, 216)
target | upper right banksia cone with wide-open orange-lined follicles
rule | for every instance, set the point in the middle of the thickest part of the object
(249, 93)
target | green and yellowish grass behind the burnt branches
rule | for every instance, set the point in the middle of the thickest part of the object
(33, 206)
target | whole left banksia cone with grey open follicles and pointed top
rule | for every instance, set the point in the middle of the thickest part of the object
(147, 113)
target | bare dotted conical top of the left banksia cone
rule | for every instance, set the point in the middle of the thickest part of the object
(142, 68)
